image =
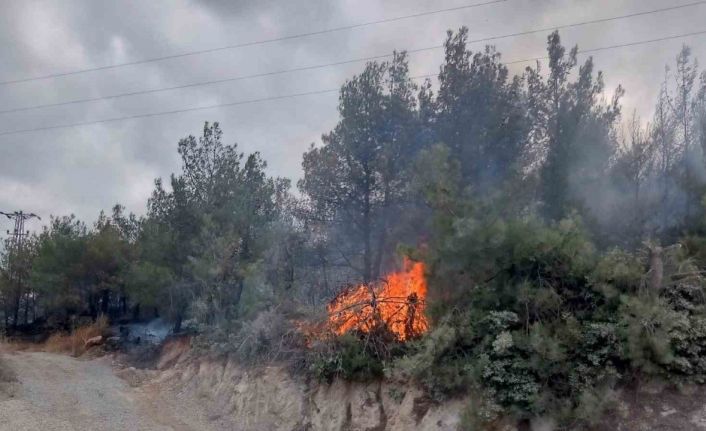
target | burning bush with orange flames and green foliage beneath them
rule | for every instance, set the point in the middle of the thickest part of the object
(367, 324)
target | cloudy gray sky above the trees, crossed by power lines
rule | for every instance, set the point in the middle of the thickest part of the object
(84, 169)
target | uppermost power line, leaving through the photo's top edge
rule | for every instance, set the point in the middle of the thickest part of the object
(254, 43)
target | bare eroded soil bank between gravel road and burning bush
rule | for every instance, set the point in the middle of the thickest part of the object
(270, 399)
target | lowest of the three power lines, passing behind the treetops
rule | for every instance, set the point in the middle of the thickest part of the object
(311, 93)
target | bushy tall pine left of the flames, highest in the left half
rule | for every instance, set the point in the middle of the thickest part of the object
(208, 228)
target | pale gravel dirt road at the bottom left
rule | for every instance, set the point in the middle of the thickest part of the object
(57, 392)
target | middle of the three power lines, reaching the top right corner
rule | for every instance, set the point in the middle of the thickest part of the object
(338, 63)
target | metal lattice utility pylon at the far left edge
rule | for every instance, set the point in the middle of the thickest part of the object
(15, 273)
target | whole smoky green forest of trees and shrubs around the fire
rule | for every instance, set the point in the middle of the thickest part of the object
(563, 240)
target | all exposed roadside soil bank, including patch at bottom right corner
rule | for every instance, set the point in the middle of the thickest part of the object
(269, 398)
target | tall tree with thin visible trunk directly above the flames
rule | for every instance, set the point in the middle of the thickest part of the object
(356, 179)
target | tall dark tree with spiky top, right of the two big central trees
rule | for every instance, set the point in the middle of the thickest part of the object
(575, 130)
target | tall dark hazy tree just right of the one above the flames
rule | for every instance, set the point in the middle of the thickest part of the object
(481, 114)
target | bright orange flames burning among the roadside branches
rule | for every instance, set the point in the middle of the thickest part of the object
(395, 304)
